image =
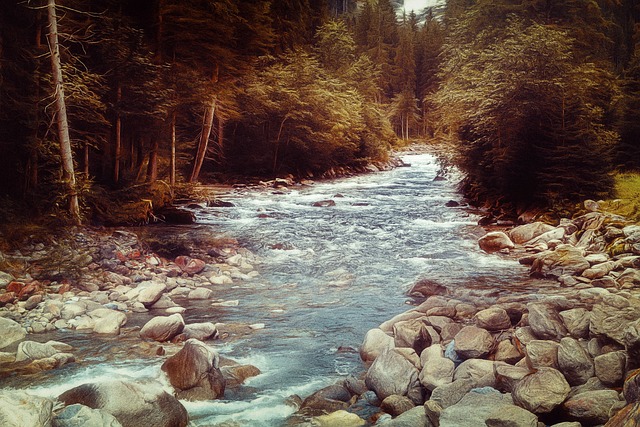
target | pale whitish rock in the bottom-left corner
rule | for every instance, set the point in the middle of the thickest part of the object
(19, 409)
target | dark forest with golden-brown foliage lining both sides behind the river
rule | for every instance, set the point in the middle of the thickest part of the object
(538, 100)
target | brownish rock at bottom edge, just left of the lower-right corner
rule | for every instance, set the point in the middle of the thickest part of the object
(591, 407)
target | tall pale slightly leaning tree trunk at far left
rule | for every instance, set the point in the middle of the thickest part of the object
(61, 112)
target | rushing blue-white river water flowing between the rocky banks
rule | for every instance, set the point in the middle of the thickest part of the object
(327, 275)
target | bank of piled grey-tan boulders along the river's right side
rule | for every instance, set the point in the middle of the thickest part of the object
(566, 356)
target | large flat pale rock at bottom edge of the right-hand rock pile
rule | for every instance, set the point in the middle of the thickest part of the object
(475, 408)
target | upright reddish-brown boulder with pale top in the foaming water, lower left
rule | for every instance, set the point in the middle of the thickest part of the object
(194, 372)
